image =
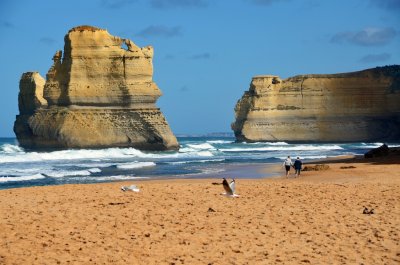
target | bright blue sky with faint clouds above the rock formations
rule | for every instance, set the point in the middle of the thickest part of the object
(206, 51)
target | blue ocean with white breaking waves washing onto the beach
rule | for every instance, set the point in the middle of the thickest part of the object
(198, 157)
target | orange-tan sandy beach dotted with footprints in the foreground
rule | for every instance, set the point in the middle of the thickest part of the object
(314, 219)
